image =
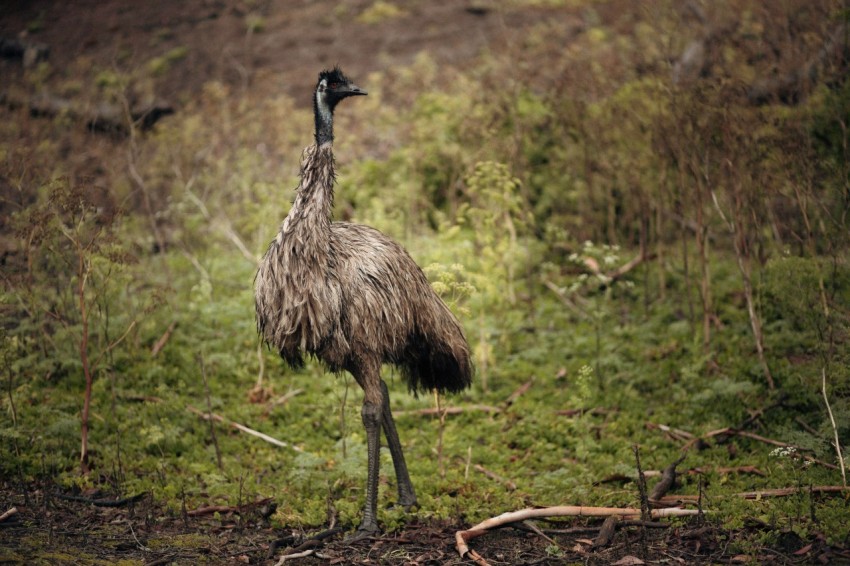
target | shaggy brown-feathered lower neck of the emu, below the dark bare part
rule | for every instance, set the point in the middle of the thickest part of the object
(306, 229)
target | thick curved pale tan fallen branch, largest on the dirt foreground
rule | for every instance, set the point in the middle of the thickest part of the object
(482, 528)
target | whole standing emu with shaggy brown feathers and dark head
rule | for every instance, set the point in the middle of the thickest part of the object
(351, 297)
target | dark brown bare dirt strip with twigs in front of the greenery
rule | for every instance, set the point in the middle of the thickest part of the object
(54, 526)
